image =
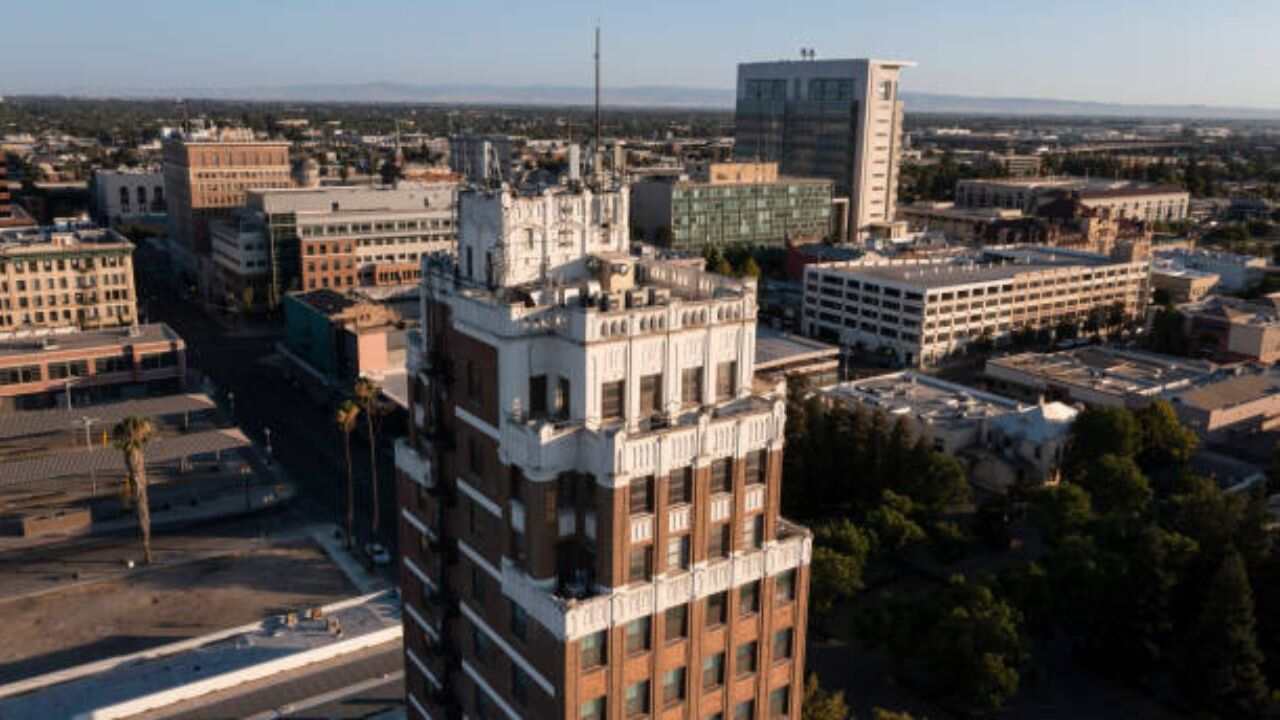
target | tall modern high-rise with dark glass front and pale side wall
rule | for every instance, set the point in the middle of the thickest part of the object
(835, 120)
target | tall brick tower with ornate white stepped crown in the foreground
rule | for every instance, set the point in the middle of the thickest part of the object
(589, 493)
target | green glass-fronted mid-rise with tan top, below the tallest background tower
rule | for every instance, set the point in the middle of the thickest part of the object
(738, 203)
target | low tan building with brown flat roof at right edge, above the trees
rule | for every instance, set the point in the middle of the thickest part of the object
(1245, 400)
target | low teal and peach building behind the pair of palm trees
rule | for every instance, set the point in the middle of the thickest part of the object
(337, 339)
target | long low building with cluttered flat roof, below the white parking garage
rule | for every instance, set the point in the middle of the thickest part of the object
(1095, 376)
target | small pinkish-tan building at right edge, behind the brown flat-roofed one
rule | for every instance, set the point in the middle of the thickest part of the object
(1233, 329)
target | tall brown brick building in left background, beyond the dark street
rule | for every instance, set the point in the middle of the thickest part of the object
(208, 180)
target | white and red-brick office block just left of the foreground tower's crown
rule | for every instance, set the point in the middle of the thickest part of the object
(335, 238)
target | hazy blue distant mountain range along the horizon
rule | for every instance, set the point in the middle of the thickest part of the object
(666, 97)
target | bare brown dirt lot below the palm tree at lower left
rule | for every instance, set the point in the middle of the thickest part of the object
(166, 605)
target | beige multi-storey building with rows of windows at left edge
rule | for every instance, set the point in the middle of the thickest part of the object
(66, 279)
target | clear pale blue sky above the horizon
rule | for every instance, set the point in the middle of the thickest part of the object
(1185, 52)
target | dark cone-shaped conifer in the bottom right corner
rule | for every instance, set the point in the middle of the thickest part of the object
(1223, 666)
